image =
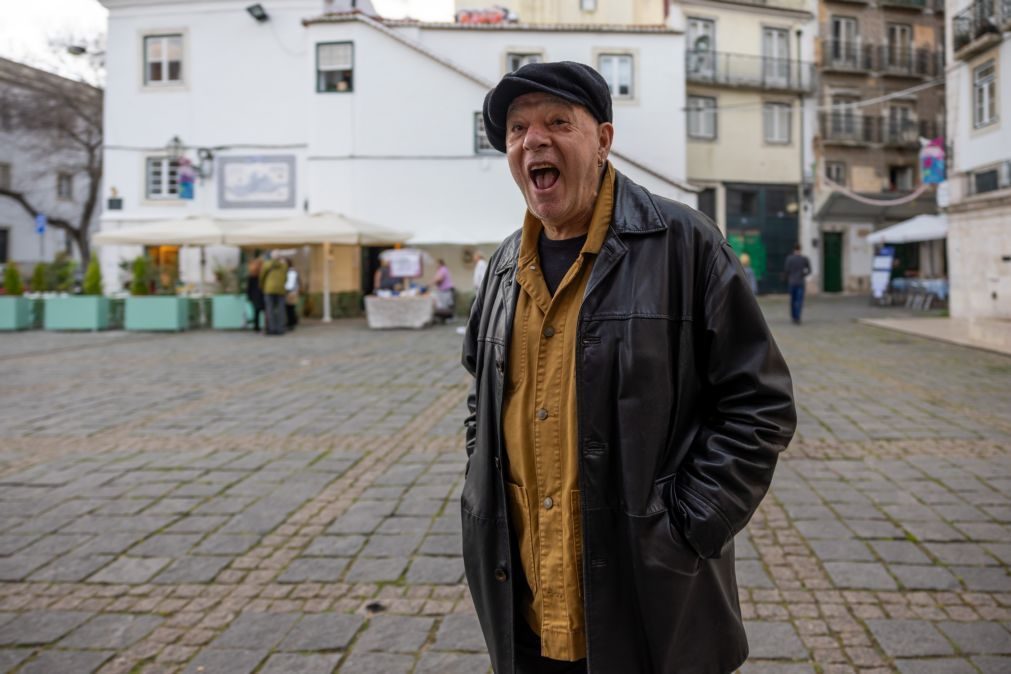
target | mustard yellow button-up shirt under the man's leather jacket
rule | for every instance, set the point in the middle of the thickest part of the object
(541, 434)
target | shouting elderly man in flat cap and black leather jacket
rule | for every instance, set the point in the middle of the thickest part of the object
(628, 409)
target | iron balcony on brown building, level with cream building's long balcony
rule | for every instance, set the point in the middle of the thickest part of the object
(889, 60)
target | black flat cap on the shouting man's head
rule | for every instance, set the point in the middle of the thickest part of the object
(576, 83)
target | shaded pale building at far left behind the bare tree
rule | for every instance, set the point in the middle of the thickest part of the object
(49, 178)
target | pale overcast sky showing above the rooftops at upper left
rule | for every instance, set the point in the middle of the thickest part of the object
(27, 25)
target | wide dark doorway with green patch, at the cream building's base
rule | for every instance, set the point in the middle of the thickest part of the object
(763, 222)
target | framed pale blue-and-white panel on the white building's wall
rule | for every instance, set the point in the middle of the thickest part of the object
(257, 182)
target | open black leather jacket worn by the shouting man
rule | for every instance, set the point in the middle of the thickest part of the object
(685, 404)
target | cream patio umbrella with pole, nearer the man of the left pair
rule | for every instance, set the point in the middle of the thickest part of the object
(324, 228)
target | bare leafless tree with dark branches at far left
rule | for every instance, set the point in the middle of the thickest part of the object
(56, 117)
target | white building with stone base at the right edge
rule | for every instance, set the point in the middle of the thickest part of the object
(979, 122)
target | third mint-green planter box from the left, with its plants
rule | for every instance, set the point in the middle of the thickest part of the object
(162, 312)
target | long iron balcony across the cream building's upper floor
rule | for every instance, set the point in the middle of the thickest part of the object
(742, 70)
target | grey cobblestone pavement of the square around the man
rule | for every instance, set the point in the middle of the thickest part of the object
(230, 504)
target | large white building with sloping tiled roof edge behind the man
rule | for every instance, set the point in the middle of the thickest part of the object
(346, 113)
